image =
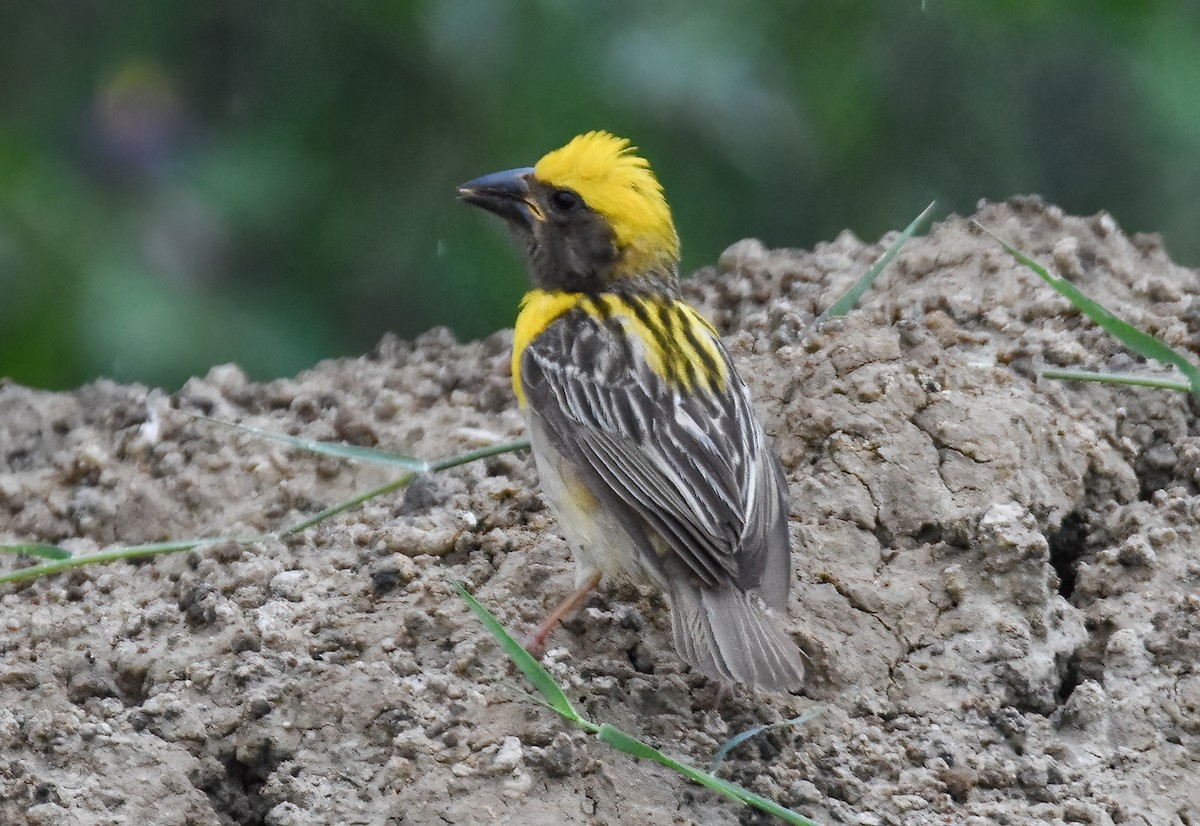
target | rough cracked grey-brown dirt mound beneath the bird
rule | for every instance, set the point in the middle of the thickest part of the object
(995, 576)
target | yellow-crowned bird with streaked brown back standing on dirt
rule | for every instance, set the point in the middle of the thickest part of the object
(644, 434)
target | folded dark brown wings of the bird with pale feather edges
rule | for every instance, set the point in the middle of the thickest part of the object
(691, 463)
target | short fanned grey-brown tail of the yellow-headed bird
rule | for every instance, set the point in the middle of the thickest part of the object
(734, 637)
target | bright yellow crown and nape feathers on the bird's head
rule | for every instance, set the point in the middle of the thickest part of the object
(615, 182)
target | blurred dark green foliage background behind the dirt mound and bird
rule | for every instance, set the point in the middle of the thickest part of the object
(274, 183)
